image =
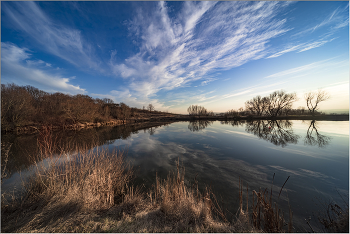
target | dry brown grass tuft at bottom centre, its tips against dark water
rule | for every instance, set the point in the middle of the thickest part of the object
(183, 207)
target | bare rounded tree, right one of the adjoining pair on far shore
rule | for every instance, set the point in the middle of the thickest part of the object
(279, 101)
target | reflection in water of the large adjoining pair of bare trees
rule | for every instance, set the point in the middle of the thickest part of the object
(278, 132)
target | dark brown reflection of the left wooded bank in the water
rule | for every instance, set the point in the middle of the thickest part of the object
(24, 148)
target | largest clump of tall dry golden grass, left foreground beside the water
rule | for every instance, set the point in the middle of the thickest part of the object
(98, 178)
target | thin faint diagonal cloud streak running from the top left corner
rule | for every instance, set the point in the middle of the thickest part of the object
(62, 41)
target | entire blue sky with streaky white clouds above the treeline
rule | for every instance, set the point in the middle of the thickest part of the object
(176, 54)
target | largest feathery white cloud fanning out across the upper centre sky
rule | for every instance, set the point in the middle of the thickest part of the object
(202, 38)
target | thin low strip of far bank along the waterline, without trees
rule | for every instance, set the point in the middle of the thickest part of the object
(31, 129)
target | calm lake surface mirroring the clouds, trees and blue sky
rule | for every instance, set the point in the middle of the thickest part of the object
(314, 154)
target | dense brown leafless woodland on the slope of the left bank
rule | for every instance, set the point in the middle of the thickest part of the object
(23, 105)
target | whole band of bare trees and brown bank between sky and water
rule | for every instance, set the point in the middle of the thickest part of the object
(26, 109)
